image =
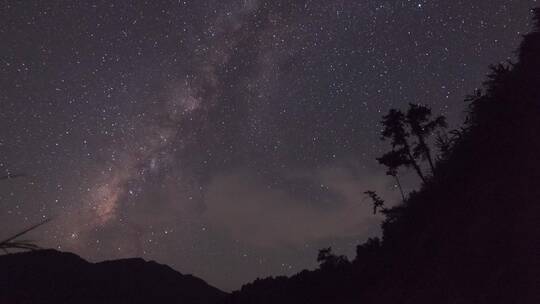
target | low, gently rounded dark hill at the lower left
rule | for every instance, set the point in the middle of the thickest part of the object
(49, 276)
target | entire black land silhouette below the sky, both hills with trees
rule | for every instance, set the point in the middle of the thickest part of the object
(469, 234)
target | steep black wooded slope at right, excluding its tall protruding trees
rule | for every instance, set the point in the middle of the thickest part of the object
(471, 233)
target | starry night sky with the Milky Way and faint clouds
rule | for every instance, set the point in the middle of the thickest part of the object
(230, 139)
